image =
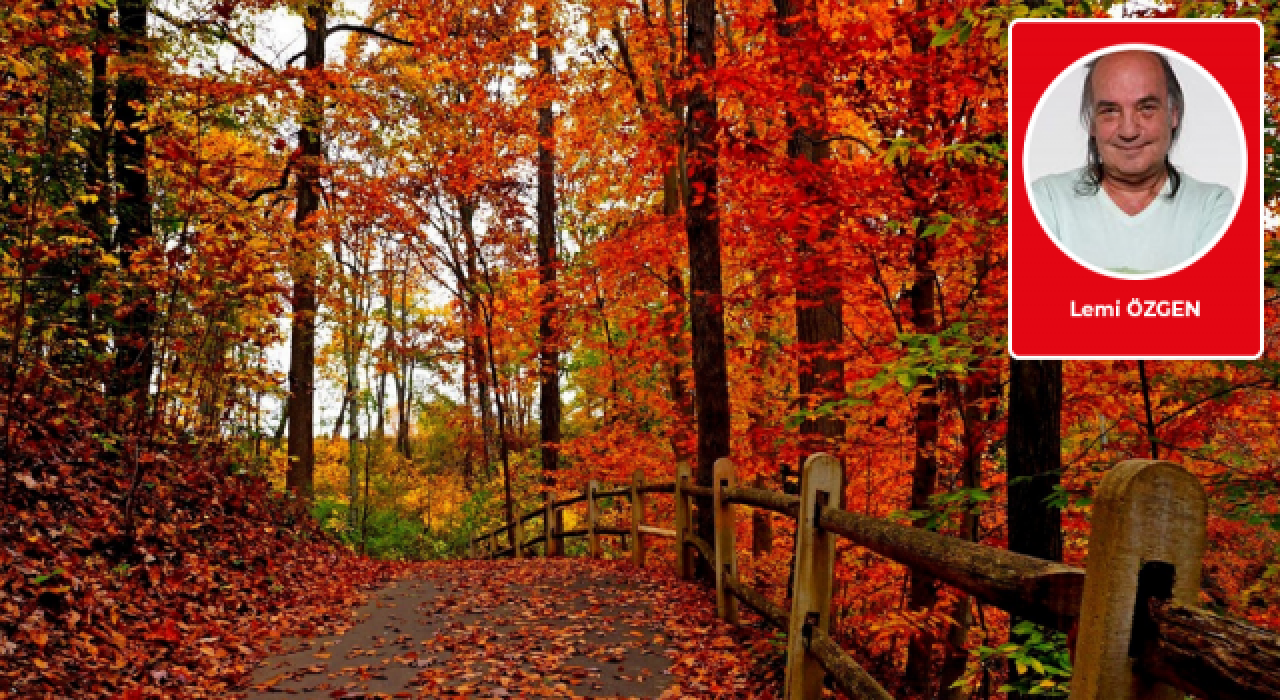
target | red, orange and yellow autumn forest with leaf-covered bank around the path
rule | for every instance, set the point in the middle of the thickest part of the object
(300, 298)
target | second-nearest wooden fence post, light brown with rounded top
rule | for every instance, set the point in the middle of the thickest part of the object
(821, 487)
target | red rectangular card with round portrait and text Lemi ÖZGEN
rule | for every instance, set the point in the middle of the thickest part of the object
(1136, 189)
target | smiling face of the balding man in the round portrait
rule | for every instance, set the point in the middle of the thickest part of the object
(1132, 122)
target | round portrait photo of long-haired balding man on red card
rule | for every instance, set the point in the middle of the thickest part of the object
(1136, 162)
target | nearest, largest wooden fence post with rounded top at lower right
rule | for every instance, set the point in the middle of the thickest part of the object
(1145, 511)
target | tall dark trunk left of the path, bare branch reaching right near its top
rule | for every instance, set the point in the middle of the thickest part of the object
(303, 341)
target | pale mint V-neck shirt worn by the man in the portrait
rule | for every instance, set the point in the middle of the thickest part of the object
(1167, 234)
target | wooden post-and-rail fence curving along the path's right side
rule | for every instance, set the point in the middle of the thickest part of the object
(1139, 634)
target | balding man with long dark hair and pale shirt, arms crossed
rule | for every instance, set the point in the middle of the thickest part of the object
(1130, 211)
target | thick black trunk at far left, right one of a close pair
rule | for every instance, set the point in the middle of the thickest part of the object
(134, 351)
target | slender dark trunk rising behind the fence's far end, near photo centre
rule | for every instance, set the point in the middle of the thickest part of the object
(548, 365)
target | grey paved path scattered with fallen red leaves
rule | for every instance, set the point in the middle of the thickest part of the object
(529, 629)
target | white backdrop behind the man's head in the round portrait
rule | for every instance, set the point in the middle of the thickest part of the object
(1210, 148)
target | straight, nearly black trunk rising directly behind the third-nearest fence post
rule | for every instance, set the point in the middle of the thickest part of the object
(706, 301)
